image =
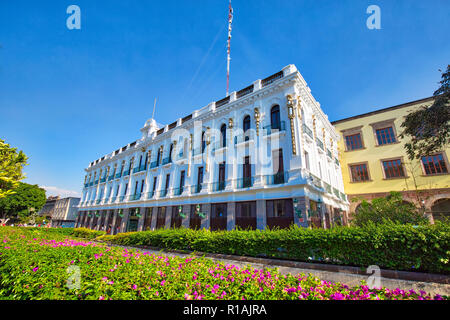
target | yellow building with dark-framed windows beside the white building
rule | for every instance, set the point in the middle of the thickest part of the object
(374, 161)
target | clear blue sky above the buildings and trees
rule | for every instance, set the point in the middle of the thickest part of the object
(68, 97)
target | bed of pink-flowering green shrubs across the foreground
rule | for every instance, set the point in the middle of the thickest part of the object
(32, 266)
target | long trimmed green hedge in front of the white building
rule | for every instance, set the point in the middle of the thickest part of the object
(398, 247)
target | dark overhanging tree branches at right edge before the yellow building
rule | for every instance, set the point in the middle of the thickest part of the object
(429, 128)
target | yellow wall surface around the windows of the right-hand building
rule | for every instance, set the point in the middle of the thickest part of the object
(373, 154)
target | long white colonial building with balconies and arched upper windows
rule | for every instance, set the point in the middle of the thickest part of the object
(264, 156)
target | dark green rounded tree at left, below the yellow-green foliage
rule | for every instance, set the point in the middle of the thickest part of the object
(26, 200)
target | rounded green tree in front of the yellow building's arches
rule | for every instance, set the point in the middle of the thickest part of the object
(391, 208)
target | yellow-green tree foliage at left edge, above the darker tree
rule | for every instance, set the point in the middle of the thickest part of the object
(11, 165)
